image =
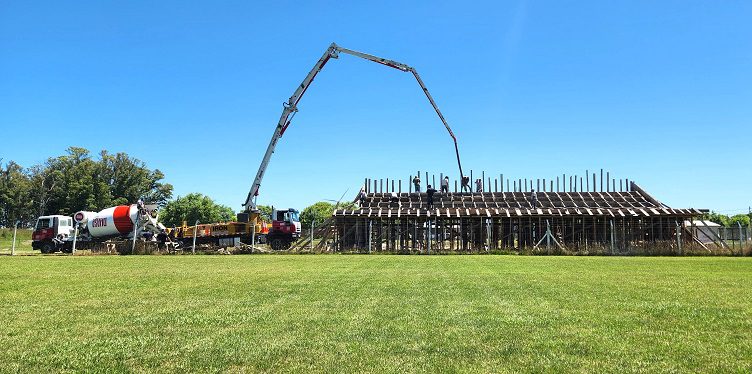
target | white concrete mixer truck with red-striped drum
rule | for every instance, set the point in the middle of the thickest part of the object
(57, 232)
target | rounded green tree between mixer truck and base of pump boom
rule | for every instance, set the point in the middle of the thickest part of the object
(195, 207)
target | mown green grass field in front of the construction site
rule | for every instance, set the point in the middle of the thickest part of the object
(338, 313)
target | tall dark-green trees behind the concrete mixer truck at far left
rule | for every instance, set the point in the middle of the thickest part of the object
(76, 181)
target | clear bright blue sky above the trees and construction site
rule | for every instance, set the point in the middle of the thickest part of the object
(660, 92)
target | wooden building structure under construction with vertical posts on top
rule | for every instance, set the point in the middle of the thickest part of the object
(563, 215)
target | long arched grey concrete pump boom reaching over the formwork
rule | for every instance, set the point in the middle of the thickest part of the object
(290, 108)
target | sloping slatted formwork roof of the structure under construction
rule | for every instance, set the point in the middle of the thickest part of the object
(633, 203)
